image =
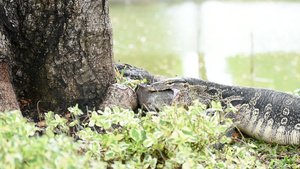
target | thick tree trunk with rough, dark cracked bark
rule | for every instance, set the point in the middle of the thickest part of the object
(58, 53)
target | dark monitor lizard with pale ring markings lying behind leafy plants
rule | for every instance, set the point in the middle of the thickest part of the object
(269, 115)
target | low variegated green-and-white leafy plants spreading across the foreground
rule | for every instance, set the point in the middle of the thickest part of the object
(172, 138)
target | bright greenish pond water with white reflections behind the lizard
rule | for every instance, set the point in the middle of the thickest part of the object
(236, 43)
